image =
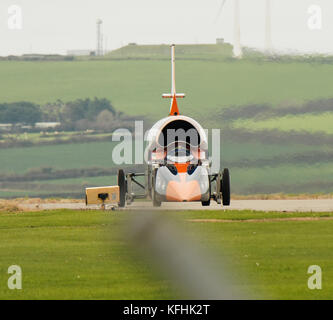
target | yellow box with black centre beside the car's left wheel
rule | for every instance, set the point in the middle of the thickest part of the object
(102, 195)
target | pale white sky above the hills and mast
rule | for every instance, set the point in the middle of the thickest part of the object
(55, 26)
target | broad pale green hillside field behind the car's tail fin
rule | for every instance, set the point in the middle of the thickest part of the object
(209, 84)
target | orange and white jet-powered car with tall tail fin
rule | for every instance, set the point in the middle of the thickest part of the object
(178, 166)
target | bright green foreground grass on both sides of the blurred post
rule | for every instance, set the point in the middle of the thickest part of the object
(84, 254)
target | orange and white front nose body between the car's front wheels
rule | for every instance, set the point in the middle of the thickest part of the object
(181, 185)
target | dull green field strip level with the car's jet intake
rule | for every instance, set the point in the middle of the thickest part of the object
(99, 154)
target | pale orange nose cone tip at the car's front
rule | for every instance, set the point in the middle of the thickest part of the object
(183, 191)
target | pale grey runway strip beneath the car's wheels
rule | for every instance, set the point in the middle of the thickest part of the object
(315, 205)
